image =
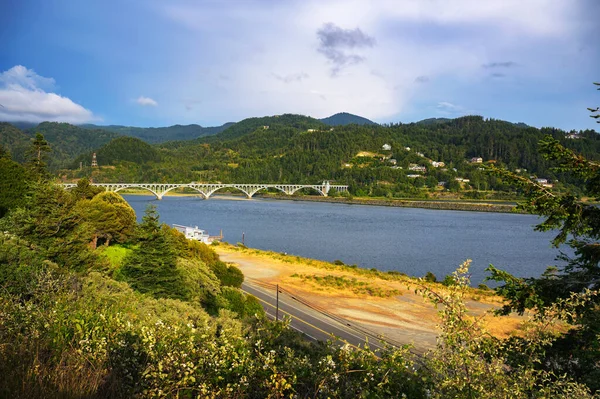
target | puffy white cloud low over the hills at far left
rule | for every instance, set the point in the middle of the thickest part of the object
(24, 99)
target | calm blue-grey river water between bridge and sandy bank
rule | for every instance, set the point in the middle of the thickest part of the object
(409, 240)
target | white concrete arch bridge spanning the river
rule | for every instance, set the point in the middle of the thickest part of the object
(208, 189)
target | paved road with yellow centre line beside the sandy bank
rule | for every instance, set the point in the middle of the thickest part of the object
(310, 322)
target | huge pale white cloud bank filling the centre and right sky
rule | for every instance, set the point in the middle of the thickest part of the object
(274, 55)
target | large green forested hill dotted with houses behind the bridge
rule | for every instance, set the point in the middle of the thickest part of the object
(299, 149)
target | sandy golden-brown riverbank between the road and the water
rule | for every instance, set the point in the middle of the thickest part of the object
(404, 317)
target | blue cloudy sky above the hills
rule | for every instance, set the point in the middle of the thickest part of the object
(158, 63)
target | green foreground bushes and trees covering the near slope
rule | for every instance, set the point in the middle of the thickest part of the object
(160, 316)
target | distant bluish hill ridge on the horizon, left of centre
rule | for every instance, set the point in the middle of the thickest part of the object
(161, 134)
